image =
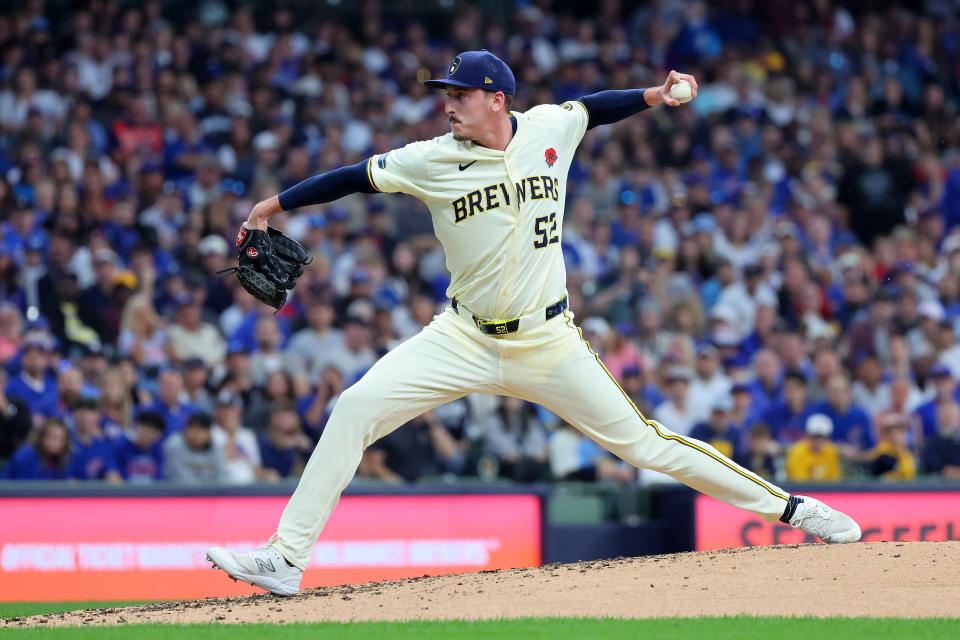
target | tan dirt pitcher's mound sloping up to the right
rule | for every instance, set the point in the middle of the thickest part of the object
(879, 579)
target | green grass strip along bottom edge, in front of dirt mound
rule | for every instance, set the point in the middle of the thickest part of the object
(735, 628)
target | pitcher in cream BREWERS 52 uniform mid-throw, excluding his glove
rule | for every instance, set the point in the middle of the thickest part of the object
(495, 187)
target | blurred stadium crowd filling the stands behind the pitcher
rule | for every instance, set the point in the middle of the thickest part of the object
(773, 268)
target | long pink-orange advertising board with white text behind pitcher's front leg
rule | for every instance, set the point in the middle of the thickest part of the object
(61, 549)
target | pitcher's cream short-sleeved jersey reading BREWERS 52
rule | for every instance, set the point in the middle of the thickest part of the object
(497, 214)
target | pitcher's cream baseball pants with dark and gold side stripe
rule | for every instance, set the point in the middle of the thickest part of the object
(548, 363)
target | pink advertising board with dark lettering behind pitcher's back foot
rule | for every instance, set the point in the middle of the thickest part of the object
(883, 516)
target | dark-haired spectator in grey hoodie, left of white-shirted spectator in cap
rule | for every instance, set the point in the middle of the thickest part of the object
(190, 455)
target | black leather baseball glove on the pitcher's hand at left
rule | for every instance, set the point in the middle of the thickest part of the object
(268, 264)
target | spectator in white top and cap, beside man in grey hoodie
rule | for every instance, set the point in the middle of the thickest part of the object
(241, 453)
